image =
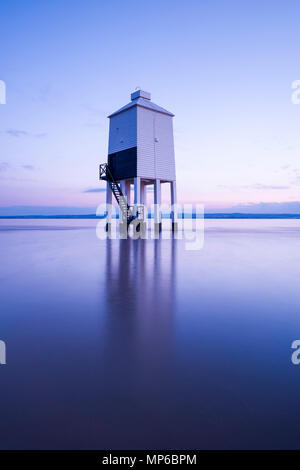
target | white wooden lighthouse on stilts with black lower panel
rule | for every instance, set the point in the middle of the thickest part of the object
(141, 152)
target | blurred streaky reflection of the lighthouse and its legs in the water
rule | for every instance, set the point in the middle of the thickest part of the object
(140, 293)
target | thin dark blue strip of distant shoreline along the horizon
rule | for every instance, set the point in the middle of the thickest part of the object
(206, 216)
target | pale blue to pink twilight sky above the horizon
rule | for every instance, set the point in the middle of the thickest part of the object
(225, 69)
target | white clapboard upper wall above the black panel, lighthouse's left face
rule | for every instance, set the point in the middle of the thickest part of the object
(122, 131)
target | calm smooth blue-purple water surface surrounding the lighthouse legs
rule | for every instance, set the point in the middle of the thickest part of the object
(142, 344)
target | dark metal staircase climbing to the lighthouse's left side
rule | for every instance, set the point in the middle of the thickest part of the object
(128, 212)
